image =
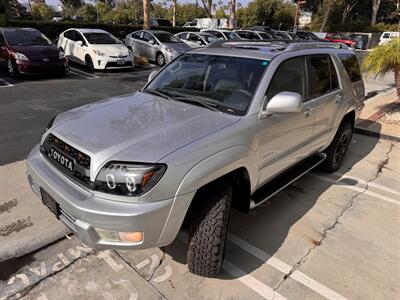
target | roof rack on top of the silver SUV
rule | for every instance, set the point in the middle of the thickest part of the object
(274, 45)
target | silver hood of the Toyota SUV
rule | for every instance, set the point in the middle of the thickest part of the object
(138, 128)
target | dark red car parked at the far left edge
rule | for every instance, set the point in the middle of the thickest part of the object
(28, 51)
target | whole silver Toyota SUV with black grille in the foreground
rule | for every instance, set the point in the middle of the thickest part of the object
(223, 126)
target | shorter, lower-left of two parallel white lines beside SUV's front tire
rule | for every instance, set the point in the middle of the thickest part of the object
(254, 284)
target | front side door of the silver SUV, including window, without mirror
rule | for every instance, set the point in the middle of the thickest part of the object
(284, 138)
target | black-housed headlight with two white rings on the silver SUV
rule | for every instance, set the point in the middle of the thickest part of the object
(128, 179)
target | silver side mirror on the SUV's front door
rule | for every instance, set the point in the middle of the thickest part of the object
(284, 103)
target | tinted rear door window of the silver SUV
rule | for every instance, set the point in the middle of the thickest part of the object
(319, 75)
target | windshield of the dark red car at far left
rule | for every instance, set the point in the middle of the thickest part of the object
(26, 38)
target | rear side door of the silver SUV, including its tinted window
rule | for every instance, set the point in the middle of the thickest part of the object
(327, 94)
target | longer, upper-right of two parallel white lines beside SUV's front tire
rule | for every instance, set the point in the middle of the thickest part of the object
(285, 268)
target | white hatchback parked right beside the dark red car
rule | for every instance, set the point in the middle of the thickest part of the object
(95, 48)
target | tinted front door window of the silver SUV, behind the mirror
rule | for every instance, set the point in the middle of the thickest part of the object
(290, 76)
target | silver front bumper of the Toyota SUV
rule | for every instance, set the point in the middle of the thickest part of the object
(83, 212)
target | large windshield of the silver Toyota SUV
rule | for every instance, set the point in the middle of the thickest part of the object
(224, 83)
